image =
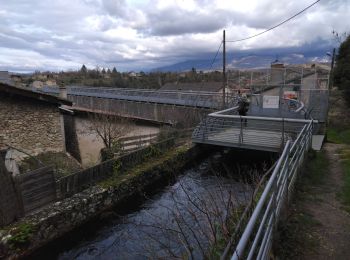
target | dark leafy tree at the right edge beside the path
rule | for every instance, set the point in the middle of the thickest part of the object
(342, 68)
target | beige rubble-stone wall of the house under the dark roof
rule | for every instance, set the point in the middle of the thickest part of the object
(31, 125)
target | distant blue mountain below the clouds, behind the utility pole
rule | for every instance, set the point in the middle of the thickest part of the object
(254, 59)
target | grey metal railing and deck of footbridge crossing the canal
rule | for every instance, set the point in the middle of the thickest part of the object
(262, 133)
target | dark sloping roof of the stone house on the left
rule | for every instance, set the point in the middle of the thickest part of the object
(16, 91)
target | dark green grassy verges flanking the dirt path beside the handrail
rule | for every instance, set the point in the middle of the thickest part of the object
(303, 234)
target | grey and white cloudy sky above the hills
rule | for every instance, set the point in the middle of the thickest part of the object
(143, 34)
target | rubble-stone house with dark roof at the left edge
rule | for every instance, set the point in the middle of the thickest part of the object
(31, 121)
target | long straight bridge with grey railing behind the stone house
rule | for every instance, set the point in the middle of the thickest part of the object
(169, 107)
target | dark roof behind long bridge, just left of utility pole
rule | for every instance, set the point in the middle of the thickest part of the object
(201, 86)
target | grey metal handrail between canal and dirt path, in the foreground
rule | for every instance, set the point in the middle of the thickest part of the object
(257, 238)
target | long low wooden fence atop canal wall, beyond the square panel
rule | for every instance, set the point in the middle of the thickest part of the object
(77, 182)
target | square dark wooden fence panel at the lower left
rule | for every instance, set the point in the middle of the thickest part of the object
(36, 188)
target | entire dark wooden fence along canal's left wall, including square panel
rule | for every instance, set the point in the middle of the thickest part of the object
(38, 188)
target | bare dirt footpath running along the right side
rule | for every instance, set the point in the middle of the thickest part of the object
(332, 231)
